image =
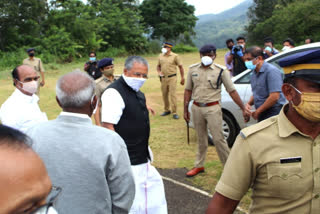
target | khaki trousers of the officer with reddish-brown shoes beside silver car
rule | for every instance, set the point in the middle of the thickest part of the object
(205, 118)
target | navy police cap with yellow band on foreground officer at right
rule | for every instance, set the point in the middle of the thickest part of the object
(305, 65)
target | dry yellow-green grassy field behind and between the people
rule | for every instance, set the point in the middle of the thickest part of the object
(168, 138)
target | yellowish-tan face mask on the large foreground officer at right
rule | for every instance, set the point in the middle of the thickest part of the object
(309, 107)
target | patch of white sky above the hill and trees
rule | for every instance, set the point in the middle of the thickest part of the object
(212, 6)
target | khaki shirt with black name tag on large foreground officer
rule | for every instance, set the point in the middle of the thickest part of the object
(277, 186)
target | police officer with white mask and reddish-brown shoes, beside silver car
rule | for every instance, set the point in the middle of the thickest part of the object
(204, 87)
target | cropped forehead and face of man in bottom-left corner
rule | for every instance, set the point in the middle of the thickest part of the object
(24, 181)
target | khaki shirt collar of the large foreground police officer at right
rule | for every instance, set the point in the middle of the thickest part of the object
(286, 128)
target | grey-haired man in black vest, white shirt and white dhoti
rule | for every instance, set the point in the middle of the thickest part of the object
(124, 110)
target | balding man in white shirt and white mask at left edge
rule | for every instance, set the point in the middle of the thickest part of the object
(21, 110)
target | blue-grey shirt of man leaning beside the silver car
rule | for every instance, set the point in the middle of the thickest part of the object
(267, 80)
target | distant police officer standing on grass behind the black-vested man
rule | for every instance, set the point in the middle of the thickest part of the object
(167, 70)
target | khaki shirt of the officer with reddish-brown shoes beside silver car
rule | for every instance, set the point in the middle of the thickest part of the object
(203, 82)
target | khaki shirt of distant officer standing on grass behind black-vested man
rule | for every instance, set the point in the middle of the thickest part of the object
(169, 63)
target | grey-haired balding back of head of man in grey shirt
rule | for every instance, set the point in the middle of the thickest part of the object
(75, 89)
